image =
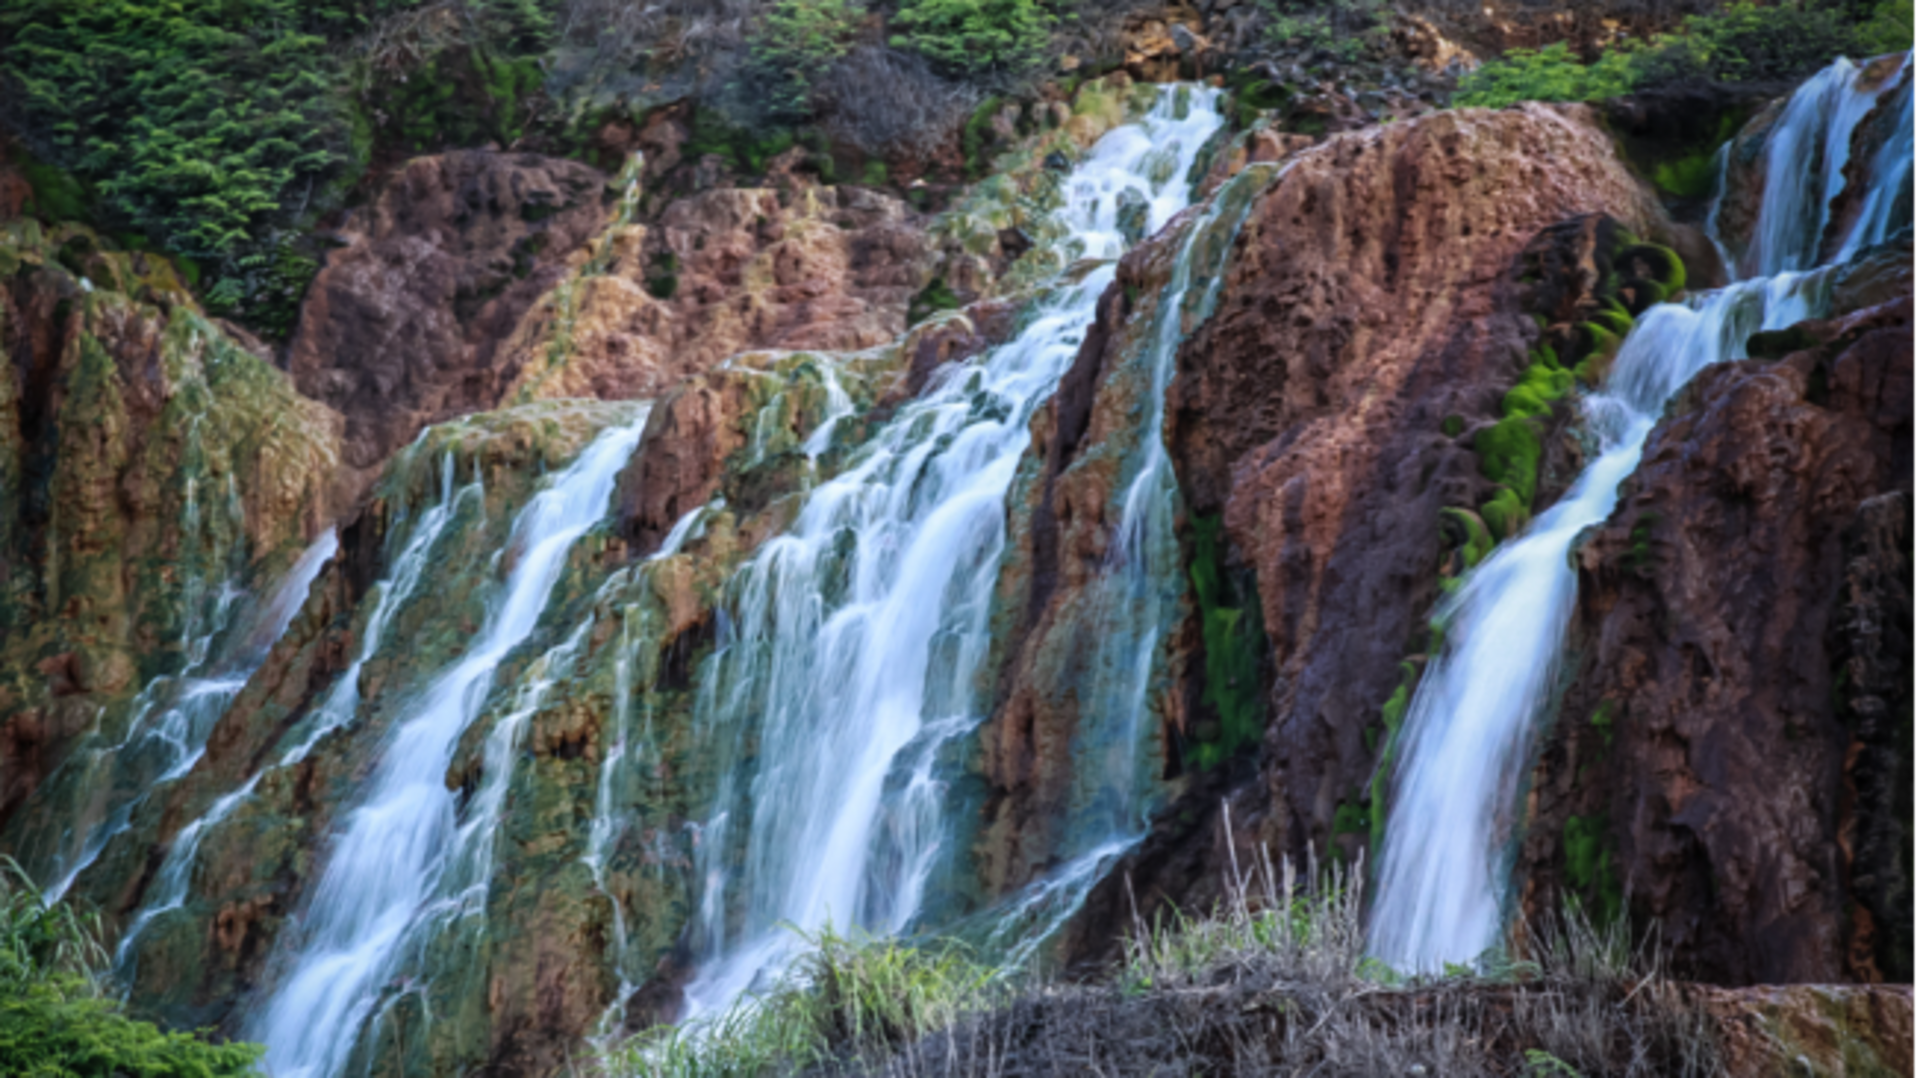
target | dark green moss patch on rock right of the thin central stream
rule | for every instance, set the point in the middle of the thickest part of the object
(1236, 645)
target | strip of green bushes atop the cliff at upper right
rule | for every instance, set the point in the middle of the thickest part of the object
(1787, 41)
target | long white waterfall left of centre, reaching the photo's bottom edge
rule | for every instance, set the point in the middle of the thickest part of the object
(393, 850)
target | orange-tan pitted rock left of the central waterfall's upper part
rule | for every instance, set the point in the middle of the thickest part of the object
(725, 272)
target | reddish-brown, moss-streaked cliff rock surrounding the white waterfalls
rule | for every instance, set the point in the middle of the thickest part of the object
(1370, 376)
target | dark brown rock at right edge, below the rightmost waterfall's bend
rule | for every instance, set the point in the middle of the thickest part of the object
(1737, 756)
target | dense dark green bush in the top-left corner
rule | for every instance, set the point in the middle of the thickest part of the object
(199, 122)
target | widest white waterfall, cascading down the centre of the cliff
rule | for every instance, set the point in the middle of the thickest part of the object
(857, 637)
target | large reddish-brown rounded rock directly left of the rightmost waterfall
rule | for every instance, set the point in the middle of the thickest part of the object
(1368, 330)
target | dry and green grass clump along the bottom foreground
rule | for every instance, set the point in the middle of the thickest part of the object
(1276, 979)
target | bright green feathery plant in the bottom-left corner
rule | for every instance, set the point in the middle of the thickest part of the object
(59, 1023)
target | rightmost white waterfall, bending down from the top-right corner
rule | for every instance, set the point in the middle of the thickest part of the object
(1468, 735)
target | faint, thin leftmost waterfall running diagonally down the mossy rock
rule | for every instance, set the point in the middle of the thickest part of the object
(174, 716)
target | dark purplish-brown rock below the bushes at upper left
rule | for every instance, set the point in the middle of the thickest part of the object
(404, 324)
